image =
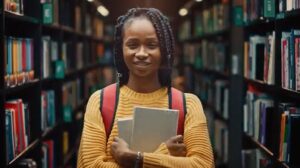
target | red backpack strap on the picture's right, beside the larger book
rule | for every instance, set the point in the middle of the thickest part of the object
(177, 101)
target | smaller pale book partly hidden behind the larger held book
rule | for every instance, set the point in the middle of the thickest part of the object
(125, 128)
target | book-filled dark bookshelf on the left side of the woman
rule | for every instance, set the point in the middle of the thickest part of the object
(50, 66)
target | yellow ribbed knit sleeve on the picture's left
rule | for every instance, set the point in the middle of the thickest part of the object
(93, 141)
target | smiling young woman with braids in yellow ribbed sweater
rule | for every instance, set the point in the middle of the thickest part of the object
(144, 50)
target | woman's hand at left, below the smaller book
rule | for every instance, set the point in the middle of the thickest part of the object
(121, 153)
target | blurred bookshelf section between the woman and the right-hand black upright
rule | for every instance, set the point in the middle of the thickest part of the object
(203, 36)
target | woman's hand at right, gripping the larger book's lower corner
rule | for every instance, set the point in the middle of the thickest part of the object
(176, 146)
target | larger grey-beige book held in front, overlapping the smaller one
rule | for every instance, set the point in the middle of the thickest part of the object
(151, 127)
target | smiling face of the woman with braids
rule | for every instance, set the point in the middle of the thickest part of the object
(141, 48)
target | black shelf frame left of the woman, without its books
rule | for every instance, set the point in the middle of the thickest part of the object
(31, 25)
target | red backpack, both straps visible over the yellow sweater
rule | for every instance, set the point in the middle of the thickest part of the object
(109, 101)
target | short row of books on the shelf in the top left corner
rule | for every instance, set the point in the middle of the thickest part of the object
(14, 6)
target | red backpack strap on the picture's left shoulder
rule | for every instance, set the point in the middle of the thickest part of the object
(109, 99)
